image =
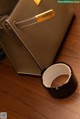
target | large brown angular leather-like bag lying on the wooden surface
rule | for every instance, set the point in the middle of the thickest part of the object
(33, 34)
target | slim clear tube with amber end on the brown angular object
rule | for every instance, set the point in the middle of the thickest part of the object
(36, 19)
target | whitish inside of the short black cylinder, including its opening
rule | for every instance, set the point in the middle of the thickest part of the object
(54, 72)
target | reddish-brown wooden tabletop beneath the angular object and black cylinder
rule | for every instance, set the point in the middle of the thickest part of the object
(24, 97)
